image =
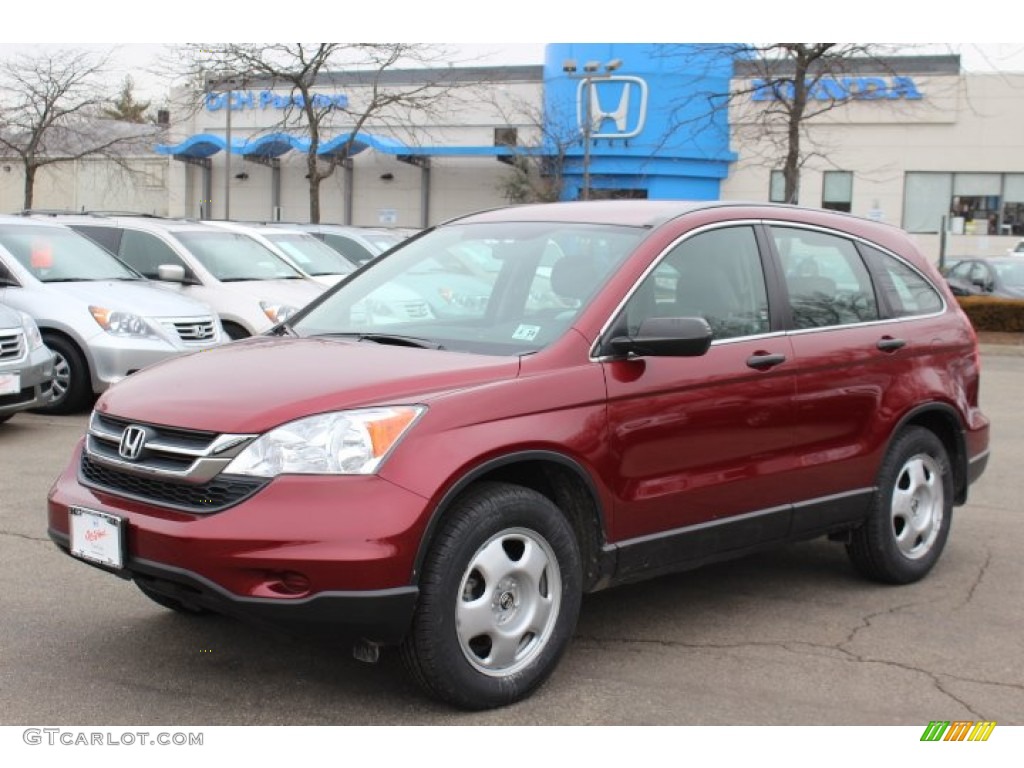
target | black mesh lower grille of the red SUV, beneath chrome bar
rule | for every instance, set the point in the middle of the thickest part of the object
(218, 495)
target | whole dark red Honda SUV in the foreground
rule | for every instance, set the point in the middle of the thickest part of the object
(603, 393)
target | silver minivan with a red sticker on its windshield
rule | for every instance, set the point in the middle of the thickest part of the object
(102, 320)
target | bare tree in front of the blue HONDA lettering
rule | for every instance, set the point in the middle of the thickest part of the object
(778, 93)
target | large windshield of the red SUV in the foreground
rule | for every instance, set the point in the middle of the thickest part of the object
(495, 288)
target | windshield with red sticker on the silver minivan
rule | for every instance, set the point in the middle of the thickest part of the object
(55, 254)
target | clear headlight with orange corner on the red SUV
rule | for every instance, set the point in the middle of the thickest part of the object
(346, 443)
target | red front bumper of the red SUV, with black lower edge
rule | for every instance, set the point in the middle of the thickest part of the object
(320, 556)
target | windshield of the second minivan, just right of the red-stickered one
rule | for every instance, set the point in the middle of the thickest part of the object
(231, 257)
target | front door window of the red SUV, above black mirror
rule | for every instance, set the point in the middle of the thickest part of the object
(716, 275)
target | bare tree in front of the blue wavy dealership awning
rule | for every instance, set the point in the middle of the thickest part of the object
(380, 101)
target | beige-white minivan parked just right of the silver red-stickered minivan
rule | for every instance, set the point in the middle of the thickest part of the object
(248, 286)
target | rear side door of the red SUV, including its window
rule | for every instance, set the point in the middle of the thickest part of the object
(854, 363)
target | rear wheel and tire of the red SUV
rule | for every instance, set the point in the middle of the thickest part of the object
(912, 513)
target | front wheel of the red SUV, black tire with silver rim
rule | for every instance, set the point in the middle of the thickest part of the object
(526, 610)
